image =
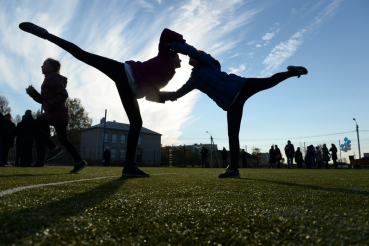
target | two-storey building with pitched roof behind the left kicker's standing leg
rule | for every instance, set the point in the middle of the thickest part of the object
(148, 149)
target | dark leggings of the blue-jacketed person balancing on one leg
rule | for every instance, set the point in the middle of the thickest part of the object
(234, 113)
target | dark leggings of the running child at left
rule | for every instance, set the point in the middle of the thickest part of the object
(41, 123)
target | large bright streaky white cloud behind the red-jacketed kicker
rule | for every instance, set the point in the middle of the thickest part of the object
(130, 32)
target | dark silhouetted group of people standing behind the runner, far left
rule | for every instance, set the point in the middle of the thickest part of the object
(20, 137)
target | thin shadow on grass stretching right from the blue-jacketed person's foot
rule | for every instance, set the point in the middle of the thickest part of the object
(346, 191)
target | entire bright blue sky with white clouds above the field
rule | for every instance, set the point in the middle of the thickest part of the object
(249, 38)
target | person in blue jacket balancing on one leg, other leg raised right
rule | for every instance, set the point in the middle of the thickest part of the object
(229, 92)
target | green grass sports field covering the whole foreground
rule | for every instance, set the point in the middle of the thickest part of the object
(184, 206)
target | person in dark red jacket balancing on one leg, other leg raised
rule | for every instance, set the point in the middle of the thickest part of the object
(133, 79)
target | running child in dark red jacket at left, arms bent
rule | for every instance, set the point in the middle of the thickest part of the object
(53, 98)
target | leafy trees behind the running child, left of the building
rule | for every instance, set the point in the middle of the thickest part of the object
(79, 118)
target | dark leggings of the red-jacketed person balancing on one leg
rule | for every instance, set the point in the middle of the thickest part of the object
(115, 71)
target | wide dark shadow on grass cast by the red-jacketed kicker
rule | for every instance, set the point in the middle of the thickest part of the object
(18, 225)
